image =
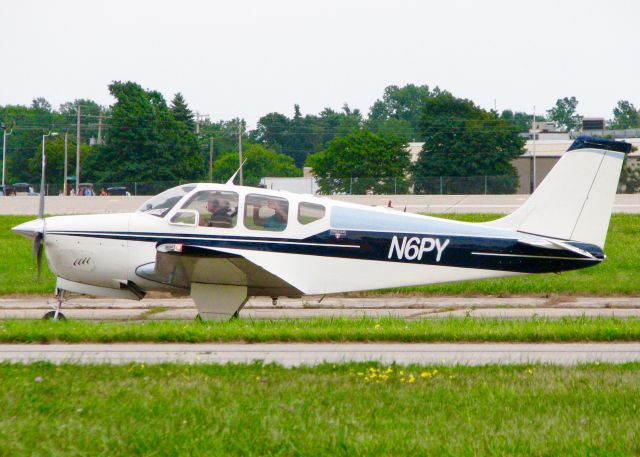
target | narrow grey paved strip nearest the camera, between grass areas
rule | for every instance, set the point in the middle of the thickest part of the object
(312, 354)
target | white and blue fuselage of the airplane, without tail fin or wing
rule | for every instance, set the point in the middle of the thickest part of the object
(353, 247)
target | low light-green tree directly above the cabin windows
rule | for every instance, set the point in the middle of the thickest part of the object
(260, 163)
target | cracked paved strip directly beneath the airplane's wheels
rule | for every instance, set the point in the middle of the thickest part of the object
(262, 308)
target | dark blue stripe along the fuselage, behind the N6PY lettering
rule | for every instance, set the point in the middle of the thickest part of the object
(503, 254)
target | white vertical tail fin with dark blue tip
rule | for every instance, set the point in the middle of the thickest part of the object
(575, 200)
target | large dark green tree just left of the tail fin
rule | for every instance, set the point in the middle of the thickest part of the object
(463, 140)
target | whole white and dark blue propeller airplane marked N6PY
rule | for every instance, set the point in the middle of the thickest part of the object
(225, 243)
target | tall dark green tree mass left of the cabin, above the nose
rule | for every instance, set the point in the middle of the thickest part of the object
(145, 141)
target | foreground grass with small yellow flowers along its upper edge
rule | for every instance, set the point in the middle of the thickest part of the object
(256, 410)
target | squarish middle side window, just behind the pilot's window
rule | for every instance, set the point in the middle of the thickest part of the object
(262, 212)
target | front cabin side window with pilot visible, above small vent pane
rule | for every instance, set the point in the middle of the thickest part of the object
(216, 208)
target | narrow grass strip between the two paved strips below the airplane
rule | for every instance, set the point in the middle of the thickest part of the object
(326, 330)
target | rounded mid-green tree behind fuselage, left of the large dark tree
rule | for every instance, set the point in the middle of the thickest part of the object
(362, 161)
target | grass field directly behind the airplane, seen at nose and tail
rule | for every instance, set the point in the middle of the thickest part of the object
(616, 276)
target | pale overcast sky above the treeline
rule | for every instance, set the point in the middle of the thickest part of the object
(247, 58)
